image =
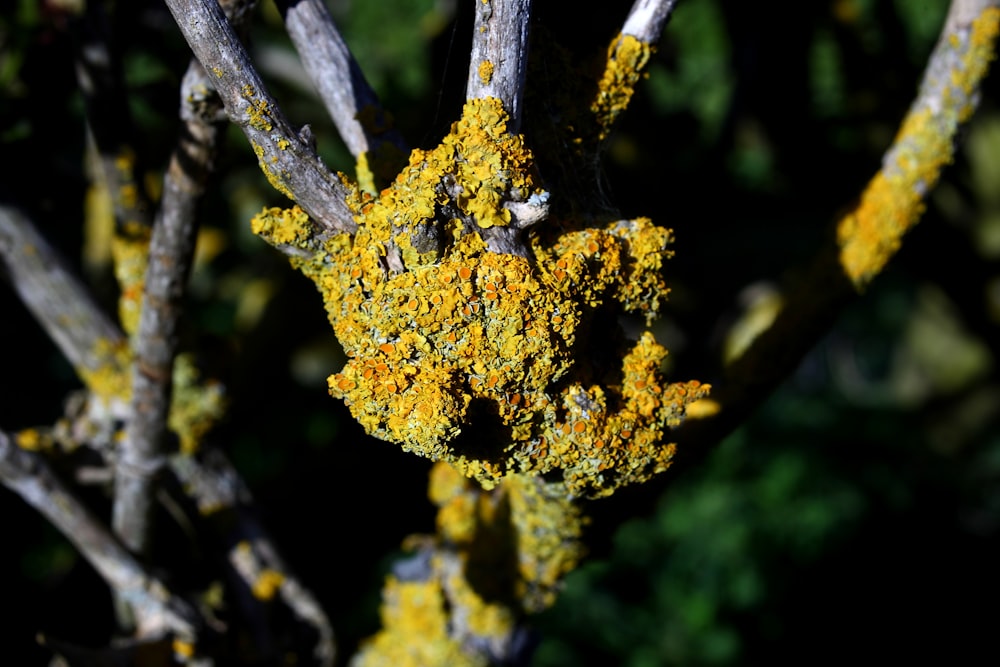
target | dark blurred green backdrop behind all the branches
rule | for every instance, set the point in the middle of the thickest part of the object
(857, 514)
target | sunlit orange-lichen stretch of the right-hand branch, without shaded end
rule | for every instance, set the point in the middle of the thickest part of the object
(893, 201)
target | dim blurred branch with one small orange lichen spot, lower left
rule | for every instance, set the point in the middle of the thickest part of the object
(223, 498)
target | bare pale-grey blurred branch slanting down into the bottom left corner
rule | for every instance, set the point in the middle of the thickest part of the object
(157, 610)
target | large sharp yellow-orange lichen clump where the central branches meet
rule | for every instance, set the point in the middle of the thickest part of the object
(436, 325)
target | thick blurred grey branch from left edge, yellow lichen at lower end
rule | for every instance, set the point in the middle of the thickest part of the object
(59, 301)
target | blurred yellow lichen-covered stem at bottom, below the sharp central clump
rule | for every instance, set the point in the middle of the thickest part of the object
(462, 597)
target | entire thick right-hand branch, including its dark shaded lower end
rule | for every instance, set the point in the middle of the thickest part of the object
(871, 233)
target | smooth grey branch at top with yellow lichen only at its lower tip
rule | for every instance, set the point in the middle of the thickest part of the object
(364, 125)
